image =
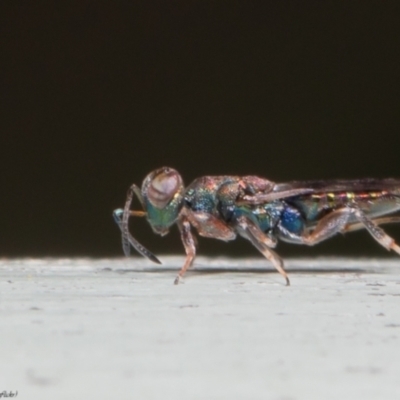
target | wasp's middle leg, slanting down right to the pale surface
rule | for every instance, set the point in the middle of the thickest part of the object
(262, 243)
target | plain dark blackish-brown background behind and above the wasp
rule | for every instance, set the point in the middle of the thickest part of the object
(94, 95)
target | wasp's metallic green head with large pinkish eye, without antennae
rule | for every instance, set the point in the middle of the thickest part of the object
(162, 192)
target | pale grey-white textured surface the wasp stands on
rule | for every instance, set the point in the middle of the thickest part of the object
(108, 329)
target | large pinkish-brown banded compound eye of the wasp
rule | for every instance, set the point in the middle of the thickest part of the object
(161, 186)
